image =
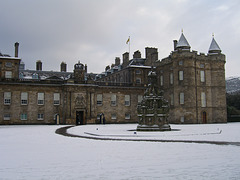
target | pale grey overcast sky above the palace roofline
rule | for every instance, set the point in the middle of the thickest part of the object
(96, 31)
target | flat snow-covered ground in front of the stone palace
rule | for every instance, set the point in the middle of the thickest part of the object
(36, 152)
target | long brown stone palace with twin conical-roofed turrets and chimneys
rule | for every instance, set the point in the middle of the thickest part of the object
(193, 85)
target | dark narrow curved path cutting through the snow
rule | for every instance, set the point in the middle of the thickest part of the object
(63, 131)
